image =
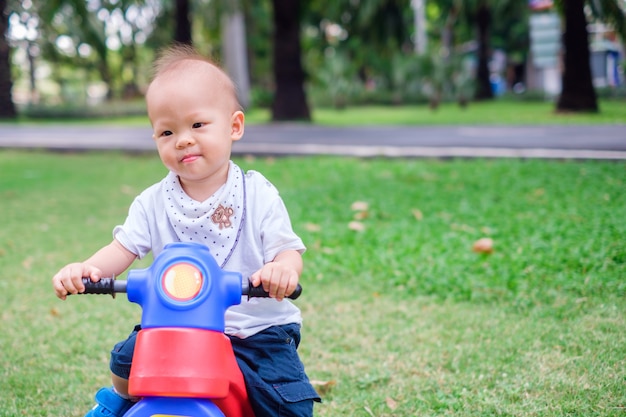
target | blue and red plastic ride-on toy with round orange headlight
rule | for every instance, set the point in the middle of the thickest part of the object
(183, 364)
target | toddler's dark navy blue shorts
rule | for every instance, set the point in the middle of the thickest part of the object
(275, 379)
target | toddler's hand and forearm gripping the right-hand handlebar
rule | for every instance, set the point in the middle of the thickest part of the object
(280, 277)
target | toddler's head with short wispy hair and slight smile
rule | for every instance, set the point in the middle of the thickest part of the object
(195, 121)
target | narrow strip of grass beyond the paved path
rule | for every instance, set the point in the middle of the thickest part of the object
(496, 112)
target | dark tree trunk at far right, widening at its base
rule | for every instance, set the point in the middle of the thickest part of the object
(577, 93)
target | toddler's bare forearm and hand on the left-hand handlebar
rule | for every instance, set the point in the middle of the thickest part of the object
(112, 259)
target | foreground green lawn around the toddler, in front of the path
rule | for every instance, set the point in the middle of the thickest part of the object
(401, 319)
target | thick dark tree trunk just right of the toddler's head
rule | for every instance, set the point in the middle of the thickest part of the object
(289, 99)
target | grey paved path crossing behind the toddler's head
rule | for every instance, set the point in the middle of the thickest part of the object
(572, 142)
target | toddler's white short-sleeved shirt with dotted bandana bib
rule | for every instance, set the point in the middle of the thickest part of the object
(264, 233)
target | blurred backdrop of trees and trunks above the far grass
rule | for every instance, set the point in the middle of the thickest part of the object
(73, 58)
